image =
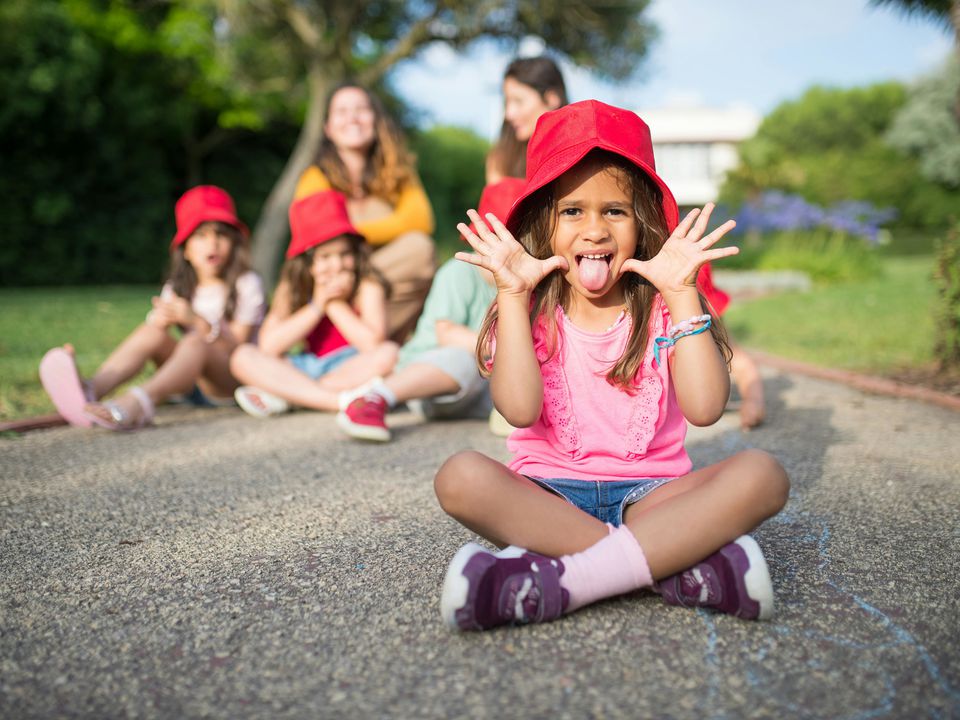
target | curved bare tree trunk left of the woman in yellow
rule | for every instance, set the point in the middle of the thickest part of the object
(270, 232)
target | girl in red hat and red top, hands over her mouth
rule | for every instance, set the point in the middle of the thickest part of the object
(329, 299)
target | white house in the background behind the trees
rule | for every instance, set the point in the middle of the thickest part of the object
(695, 146)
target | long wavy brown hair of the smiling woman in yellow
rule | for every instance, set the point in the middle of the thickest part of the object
(389, 167)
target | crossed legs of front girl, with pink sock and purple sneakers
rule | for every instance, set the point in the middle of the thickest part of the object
(685, 533)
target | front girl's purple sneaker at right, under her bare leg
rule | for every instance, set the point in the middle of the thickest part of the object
(733, 580)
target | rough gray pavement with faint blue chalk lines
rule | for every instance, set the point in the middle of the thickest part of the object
(224, 567)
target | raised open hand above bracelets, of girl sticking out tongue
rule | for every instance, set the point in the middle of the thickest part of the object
(675, 267)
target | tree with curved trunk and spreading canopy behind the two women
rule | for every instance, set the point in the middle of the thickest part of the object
(363, 39)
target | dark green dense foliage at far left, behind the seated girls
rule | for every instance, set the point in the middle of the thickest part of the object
(103, 125)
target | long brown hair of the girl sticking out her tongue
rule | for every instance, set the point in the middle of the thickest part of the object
(536, 227)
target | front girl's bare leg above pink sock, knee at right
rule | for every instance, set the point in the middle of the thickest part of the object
(681, 523)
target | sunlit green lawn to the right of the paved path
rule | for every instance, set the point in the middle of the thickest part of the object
(880, 325)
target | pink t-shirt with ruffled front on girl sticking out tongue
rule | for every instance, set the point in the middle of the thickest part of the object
(592, 430)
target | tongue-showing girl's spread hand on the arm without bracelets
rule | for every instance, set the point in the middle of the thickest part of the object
(515, 271)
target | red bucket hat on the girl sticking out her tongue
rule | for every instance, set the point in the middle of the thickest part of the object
(564, 136)
